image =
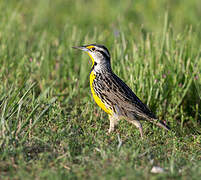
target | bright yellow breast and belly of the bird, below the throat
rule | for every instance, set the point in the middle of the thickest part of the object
(96, 98)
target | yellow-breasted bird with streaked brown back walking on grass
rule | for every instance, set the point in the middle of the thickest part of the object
(112, 94)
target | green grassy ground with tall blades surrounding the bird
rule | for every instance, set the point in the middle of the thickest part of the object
(50, 127)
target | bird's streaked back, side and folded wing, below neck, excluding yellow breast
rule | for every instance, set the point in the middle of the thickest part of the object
(117, 95)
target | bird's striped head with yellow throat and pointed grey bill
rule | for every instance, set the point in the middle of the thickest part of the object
(99, 54)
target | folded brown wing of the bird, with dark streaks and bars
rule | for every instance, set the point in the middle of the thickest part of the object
(123, 97)
